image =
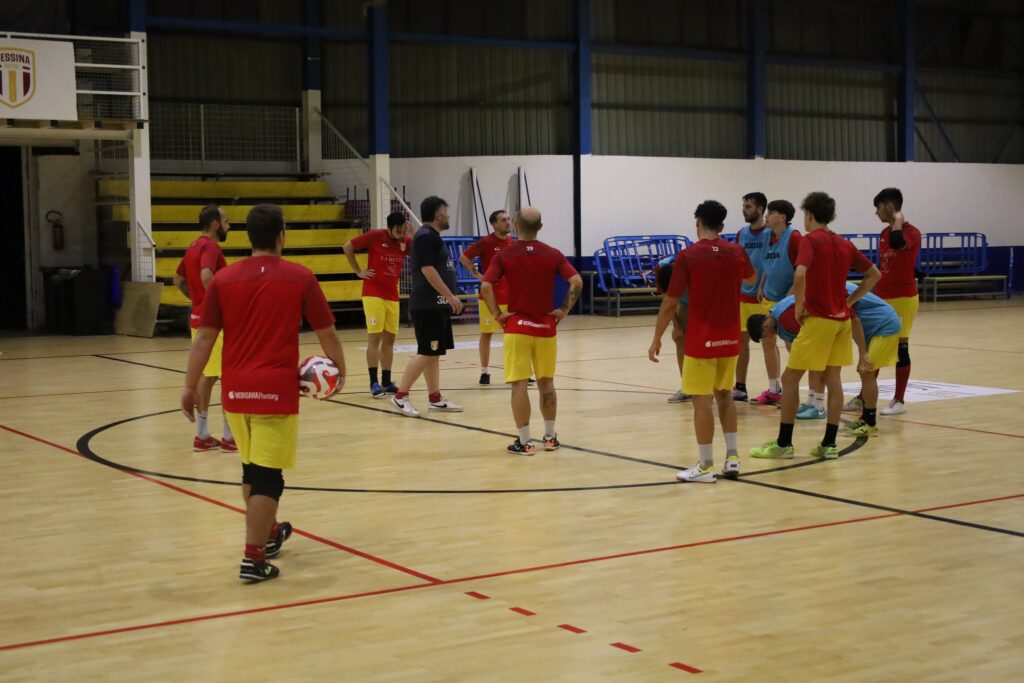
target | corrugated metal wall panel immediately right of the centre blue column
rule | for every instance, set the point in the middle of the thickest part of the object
(668, 108)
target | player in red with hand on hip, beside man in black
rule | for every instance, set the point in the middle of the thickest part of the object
(388, 251)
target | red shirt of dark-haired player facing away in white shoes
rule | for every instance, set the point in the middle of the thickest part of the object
(712, 271)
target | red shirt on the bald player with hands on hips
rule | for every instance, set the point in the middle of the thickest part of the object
(530, 269)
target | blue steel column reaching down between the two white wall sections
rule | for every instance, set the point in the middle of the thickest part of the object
(584, 131)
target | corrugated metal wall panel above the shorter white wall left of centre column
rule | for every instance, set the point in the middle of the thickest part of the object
(452, 101)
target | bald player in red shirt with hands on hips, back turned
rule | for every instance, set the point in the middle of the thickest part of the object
(530, 268)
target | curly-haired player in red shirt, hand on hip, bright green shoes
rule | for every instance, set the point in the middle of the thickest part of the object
(824, 310)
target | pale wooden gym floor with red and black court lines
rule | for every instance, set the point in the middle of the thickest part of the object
(423, 552)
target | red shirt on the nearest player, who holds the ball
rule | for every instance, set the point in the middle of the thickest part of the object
(260, 304)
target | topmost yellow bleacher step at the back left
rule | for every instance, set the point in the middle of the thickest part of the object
(222, 190)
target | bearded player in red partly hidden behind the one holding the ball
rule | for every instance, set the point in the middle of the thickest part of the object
(202, 261)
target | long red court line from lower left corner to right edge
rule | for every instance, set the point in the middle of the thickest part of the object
(340, 599)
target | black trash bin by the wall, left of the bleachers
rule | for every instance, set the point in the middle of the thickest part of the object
(78, 302)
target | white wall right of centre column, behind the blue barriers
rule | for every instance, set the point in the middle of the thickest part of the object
(645, 195)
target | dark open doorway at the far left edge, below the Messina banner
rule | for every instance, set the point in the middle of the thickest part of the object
(14, 315)
